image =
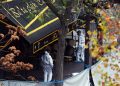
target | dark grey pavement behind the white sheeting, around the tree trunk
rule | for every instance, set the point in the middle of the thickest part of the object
(69, 69)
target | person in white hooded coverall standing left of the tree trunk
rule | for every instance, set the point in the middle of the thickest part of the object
(47, 64)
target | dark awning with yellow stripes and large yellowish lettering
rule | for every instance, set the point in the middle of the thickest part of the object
(34, 16)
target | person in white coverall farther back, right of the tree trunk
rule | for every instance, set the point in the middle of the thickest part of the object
(80, 48)
